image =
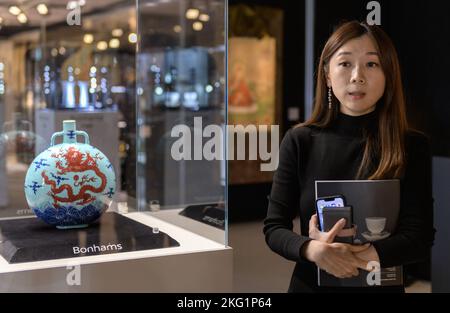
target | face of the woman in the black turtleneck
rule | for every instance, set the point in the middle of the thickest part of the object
(356, 76)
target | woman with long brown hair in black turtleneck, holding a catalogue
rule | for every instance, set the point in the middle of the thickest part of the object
(358, 130)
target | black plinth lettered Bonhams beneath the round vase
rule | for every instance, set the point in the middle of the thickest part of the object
(29, 239)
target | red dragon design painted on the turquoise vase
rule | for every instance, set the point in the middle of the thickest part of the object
(75, 162)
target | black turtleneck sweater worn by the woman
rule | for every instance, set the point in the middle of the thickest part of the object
(308, 154)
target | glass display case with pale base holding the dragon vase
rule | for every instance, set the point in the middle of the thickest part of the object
(136, 77)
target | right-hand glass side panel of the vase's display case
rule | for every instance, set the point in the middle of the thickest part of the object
(181, 110)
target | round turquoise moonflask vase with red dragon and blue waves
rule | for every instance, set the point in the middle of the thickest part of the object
(71, 184)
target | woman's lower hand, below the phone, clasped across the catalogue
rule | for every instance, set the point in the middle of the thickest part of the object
(337, 259)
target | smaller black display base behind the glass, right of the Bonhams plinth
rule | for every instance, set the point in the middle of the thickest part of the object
(212, 214)
